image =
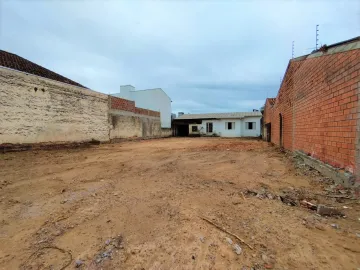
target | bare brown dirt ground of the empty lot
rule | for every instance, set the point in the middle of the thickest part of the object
(138, 205)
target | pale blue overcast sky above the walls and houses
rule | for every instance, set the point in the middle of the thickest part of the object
(208, 56)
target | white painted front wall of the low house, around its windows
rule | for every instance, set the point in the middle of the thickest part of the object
(240, 130)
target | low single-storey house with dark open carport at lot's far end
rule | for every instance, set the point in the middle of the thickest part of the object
(236, 124)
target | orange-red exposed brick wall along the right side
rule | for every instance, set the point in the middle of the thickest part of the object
(318, 103)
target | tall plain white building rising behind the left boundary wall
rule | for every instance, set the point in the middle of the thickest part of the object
(152, 99)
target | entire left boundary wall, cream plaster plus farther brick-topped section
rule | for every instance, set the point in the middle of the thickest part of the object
(38, 110)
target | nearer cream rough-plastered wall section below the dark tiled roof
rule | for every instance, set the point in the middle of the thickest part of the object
(34, 109)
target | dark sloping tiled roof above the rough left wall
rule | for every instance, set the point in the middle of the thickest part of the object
(13, 61)
